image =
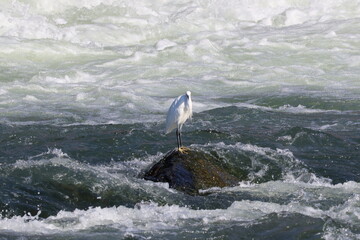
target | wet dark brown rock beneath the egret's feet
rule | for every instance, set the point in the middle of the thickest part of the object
(190, 170)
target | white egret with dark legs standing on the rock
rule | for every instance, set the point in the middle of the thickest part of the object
(179, 111)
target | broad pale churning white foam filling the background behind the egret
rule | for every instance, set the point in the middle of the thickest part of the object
(156, 50)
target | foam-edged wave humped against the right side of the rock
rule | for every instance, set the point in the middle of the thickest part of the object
(264, 164)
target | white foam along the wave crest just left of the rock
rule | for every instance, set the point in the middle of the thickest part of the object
(115, 174)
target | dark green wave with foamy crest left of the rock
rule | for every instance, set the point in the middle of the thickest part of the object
(52, 181)
